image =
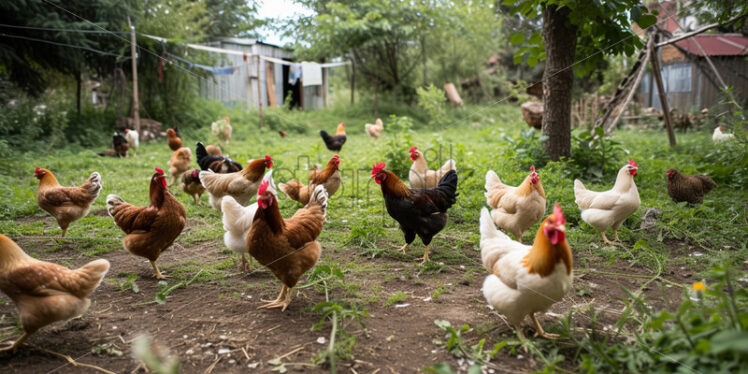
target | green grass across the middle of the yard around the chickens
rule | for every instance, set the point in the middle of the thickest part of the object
(476, 139)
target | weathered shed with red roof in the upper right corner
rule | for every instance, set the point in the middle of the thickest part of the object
(689, 81)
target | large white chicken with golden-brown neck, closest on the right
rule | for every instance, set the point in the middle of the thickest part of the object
(526, 279)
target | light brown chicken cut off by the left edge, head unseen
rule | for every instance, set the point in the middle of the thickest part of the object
(45, 292)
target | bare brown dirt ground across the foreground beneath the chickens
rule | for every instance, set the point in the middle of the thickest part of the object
(215, 326)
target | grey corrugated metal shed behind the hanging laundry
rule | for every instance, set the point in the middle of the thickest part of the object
(239, 86)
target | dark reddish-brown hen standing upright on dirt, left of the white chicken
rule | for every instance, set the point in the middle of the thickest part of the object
(150, 229)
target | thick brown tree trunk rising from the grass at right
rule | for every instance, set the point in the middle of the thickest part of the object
(558, 78)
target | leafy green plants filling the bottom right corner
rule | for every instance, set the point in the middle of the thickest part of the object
(707, 331)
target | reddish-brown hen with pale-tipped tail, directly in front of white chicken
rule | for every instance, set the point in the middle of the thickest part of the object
(288, 247)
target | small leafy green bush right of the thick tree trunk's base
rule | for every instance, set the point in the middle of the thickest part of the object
(594, 155)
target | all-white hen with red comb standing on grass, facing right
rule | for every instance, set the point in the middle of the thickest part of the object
(609, 208)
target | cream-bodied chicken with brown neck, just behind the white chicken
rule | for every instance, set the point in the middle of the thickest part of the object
(240, 185)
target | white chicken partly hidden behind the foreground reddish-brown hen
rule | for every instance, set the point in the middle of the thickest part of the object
(237, 220)
